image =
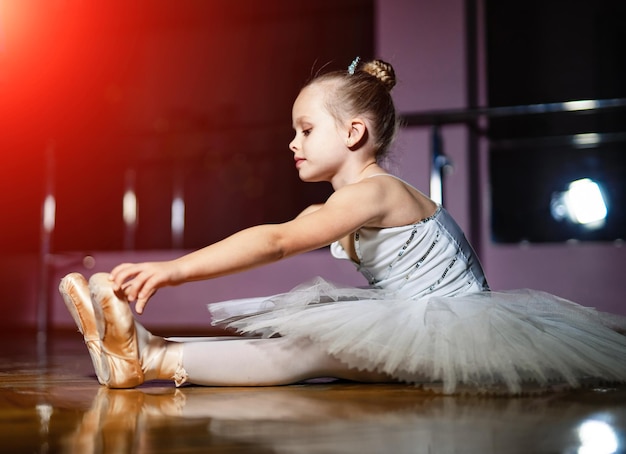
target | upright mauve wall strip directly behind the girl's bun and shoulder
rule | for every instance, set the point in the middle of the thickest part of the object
(425, 43)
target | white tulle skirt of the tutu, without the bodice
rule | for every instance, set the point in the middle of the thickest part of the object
(484, 342)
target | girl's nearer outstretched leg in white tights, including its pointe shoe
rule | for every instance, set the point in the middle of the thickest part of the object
(133, 355)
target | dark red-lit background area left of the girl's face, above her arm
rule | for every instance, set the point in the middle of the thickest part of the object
(159, 93)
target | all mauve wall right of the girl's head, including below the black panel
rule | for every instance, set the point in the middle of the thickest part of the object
(425, 42)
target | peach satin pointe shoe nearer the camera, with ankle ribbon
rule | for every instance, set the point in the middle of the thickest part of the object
(131, 355)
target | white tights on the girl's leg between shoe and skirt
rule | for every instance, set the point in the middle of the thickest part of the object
(264, 362)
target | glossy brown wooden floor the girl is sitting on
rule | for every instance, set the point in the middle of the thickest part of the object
(51, 402)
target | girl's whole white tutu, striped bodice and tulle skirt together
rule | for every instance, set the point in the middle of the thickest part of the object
(429, 318)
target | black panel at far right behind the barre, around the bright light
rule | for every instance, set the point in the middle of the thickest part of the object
(547, 52)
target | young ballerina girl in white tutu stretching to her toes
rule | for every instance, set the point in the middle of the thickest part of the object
(427, 316)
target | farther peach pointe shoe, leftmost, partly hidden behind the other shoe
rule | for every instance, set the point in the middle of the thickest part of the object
(75, 292)
